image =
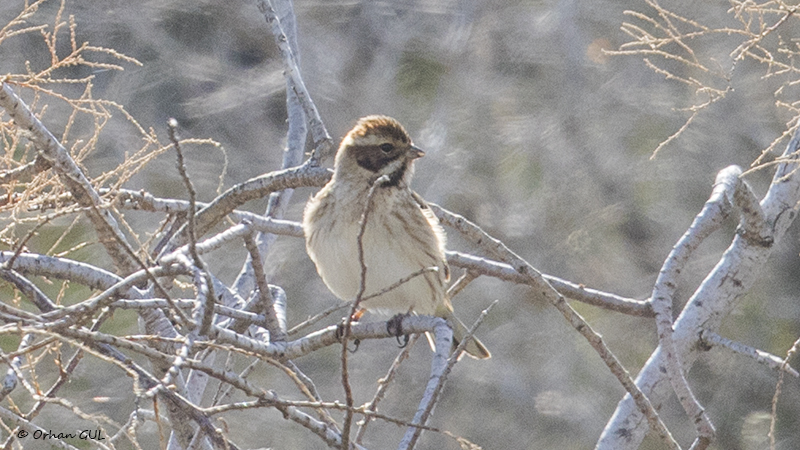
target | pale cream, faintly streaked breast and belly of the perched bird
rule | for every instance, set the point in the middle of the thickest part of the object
(398, 241)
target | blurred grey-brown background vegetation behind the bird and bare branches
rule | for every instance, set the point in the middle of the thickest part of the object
(531, 131)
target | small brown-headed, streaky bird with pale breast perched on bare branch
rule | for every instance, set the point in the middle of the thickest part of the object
(401, 235)
